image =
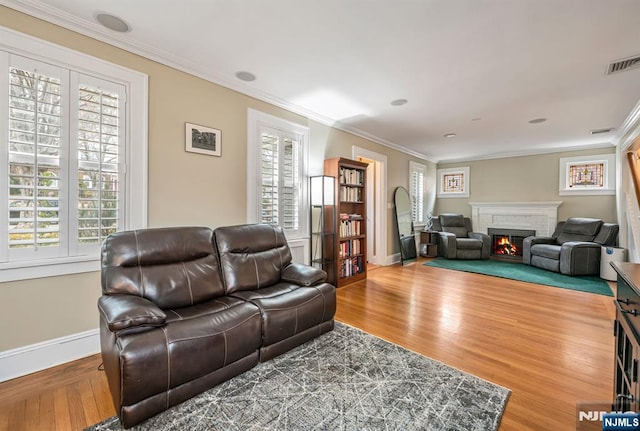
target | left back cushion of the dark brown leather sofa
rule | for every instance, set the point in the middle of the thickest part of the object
(172, 267)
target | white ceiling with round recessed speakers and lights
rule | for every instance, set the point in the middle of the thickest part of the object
(481, 69)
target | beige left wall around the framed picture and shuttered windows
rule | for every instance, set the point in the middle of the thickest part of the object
(184, 188)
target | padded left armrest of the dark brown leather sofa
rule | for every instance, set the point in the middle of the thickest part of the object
(127, 311)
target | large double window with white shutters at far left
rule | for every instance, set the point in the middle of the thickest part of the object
(64, 152)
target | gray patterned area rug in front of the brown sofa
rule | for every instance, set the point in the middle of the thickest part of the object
(343, 380)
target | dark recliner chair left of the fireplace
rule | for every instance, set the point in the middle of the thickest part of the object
(456, 239)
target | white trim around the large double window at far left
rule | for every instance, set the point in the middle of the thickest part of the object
(136, 85)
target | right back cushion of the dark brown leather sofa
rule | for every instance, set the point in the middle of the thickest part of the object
(251, 256)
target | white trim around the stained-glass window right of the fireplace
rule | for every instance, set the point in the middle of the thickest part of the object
(609, 187)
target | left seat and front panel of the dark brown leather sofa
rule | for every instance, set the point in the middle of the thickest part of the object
(162, 359)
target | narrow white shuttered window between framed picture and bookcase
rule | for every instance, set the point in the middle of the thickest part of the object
(277, 160)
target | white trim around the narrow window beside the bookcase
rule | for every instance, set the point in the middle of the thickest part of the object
(254, 120)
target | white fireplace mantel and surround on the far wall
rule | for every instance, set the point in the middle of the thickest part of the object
(539, 216)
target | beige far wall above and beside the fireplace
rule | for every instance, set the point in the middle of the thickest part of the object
(528, 178)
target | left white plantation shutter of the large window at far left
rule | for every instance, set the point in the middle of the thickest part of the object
(35, 150)
